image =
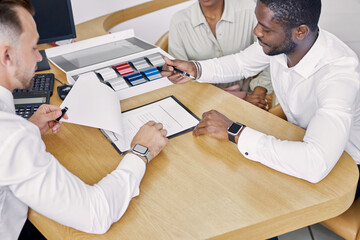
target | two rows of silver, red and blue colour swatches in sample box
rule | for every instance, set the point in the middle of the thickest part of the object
(133, 72)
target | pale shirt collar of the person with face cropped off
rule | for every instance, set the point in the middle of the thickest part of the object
(198, 18)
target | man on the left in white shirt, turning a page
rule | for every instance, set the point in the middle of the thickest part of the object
(30, 176)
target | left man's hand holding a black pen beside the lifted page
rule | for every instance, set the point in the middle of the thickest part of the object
(45, 117)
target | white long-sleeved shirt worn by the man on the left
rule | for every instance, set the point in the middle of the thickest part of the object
(30, 176)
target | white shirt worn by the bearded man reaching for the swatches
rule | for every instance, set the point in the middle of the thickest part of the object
(319, 94)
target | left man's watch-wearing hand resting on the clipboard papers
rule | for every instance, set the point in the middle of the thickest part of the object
(153, 136)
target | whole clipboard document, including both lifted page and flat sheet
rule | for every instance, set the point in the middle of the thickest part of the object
(94, 104)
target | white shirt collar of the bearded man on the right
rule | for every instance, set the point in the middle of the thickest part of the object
(310, 62)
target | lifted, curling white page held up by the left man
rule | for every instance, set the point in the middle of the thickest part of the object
(94, 104)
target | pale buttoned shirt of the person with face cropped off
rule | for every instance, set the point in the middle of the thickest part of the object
(190, 36)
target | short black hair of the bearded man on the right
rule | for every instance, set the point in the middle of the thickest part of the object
(293, 13)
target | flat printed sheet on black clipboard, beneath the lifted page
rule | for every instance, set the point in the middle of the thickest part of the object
(175, 117)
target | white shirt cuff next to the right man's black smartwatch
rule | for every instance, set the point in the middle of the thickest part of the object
(248, 142)
